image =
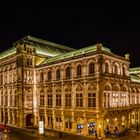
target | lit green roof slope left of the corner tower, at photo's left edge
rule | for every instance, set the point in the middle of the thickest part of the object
(7, 52)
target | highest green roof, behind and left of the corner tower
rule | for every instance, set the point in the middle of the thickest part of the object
(43, 47)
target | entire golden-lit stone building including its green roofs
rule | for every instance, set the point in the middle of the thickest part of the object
(91, 88)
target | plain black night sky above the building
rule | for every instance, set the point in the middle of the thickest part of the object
(115, 25)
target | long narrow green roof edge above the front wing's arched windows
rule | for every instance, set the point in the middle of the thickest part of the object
(75, 53)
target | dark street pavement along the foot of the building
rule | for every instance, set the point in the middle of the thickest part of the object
(26, 134)
